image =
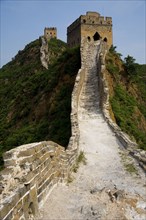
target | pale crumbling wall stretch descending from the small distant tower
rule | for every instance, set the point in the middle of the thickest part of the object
(44, 57)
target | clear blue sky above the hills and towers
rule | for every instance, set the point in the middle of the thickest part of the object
(22, 21)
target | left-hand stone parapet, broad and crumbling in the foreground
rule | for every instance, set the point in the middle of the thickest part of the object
(33, 170)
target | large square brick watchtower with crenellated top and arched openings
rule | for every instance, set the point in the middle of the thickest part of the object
(92, 26)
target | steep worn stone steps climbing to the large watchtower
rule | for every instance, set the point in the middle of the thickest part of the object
(89, 98)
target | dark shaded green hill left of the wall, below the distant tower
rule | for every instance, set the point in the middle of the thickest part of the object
(35, 102)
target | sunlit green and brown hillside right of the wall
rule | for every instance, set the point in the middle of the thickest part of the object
(127, 81)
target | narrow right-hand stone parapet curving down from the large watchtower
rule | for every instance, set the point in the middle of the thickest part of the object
(131, 146)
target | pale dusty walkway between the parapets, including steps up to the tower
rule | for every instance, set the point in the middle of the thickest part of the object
(102, 189)
